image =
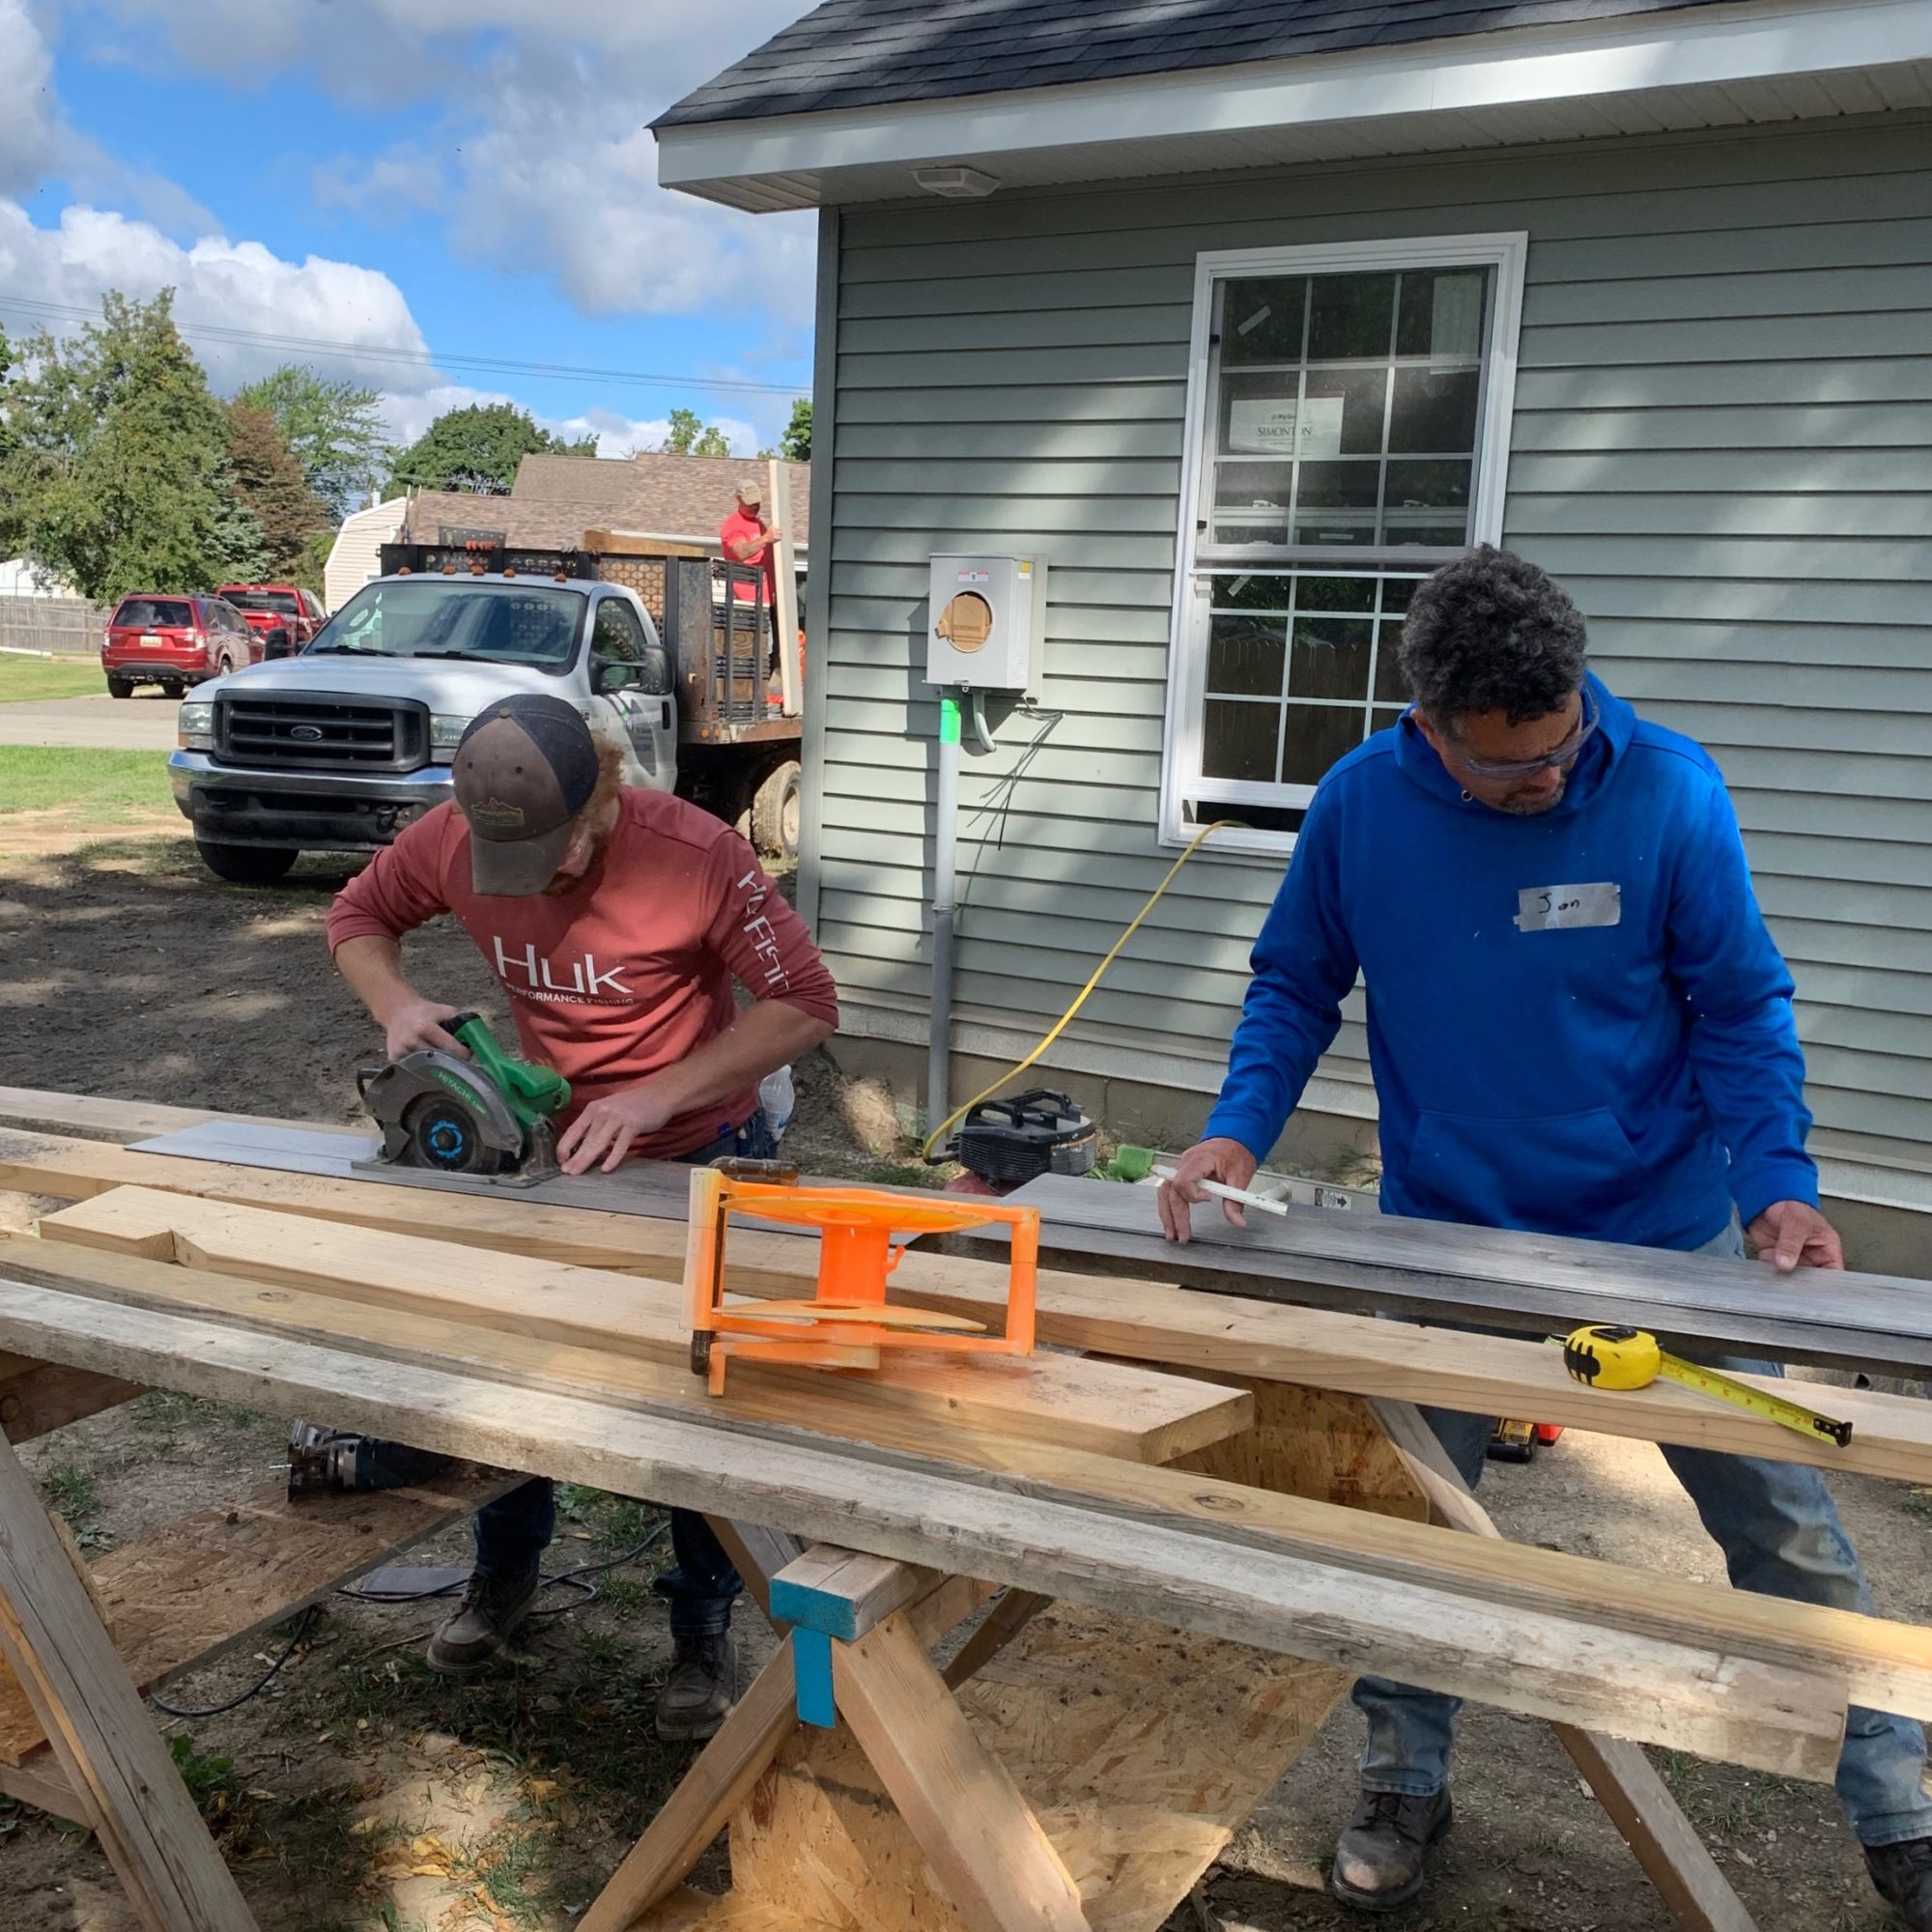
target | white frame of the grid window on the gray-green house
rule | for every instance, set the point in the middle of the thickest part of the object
(1187, 654)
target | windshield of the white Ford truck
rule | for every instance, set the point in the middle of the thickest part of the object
(438, 617)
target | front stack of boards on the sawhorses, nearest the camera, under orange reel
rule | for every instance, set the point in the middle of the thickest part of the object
(1044, 1475)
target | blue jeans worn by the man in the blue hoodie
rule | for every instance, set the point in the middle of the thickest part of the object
(1780, 1537)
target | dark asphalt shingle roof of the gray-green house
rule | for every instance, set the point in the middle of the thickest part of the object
(876, 53)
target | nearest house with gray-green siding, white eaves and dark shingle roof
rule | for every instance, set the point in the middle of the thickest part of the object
(1247, 318)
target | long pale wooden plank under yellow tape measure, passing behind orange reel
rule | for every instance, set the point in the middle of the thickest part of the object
(1120, 1317)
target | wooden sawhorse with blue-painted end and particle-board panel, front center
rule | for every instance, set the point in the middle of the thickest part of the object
(1064, 1771)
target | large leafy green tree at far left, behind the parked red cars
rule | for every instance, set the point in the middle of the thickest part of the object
(115, 472)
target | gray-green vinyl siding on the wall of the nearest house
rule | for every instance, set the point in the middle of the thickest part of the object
(1722, 445)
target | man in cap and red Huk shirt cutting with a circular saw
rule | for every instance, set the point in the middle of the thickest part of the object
(617, 923)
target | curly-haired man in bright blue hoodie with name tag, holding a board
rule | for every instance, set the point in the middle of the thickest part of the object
(1577, 1025)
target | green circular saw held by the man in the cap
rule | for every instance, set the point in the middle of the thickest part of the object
(486, 1118)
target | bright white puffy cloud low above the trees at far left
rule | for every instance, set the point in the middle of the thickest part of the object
(235, 287)
